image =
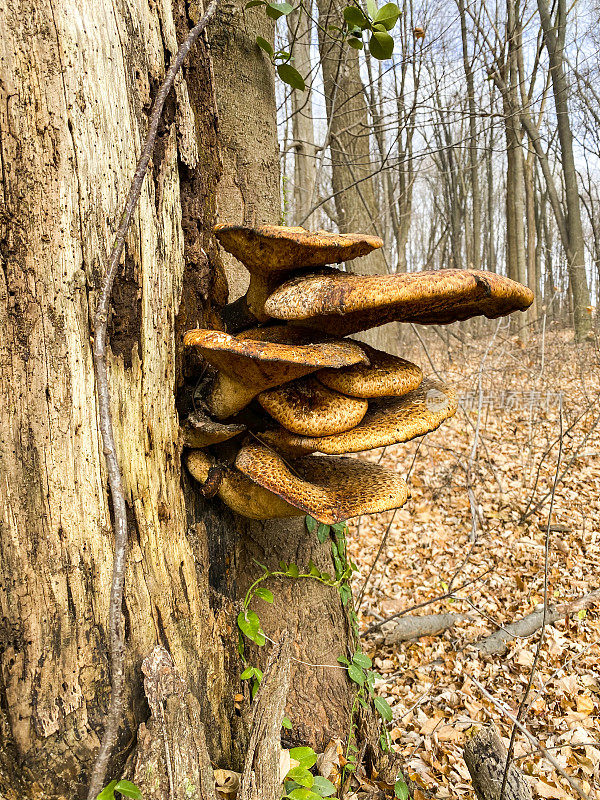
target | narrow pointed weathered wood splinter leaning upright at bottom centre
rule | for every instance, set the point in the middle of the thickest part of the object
(261, 779)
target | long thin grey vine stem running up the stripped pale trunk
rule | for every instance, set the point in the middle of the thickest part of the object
(115, 480)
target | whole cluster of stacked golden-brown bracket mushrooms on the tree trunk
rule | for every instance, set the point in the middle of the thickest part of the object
(293, 387)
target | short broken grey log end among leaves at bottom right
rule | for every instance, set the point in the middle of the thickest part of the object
(485, 757)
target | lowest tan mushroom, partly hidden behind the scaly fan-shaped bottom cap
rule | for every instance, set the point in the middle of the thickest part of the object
(240, 493)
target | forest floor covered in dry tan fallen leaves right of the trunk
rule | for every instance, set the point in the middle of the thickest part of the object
(476, 527)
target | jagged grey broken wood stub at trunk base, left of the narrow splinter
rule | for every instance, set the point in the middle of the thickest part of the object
(172, 758)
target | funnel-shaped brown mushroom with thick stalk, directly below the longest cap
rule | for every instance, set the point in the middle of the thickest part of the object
(263, 358)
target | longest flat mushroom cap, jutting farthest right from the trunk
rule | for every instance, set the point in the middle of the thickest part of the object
(344, 303)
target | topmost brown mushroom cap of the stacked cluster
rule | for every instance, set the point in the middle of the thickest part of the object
(272, 249)
